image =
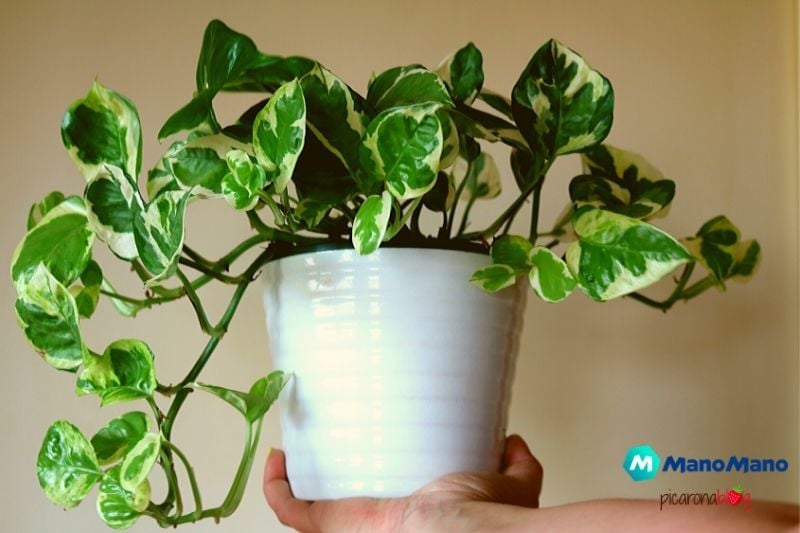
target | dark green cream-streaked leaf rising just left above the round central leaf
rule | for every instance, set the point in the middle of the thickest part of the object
(334, 114)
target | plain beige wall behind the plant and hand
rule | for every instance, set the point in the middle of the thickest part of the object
(707, 90)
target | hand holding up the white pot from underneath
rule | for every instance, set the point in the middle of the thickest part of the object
(462, 501)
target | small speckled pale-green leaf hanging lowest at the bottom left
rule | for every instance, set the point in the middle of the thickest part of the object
(117, 507)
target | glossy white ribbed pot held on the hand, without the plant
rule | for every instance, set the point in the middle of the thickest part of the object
(402, 369)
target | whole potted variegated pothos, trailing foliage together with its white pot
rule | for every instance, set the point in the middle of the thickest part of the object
(340, 190)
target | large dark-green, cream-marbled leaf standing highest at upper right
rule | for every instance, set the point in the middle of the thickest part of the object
(560, 104)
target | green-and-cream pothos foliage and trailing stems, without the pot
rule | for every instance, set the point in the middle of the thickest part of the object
(315, 162)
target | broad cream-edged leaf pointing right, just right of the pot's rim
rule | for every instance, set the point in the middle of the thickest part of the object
(616, 255)
